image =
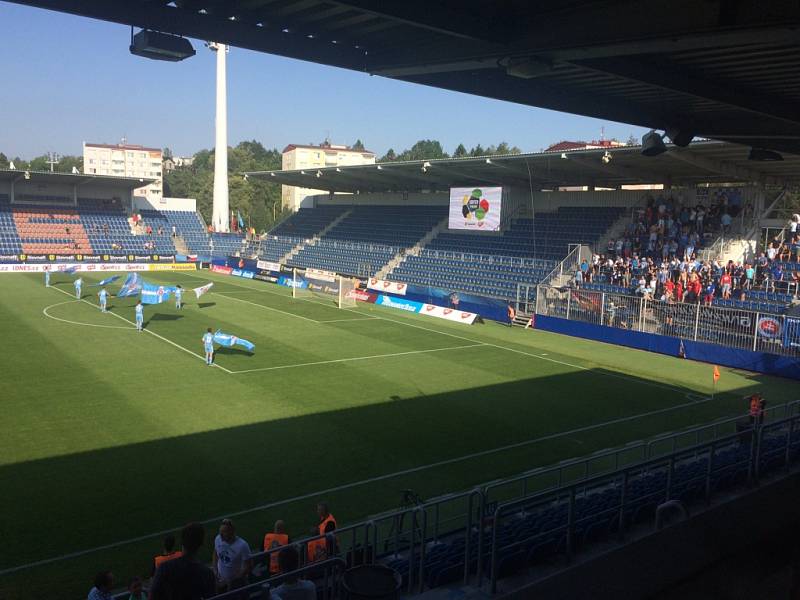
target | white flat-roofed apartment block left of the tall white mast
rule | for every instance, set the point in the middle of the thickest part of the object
(126, 160)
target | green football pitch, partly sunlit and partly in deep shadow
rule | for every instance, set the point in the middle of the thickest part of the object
(109, 436)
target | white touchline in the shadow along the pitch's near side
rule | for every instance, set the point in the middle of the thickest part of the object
(354, 484)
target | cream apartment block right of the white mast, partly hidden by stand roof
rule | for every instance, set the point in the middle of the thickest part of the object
(298, 156)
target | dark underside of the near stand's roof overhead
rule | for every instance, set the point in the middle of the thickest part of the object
(722, 69)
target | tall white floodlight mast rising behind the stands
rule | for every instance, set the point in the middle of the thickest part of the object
(220, 219)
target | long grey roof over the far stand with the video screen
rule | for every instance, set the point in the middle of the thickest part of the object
(702, 162)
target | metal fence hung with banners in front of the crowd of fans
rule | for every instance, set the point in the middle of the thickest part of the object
(731, 327)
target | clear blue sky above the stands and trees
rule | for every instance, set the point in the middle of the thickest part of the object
(69, 79)
